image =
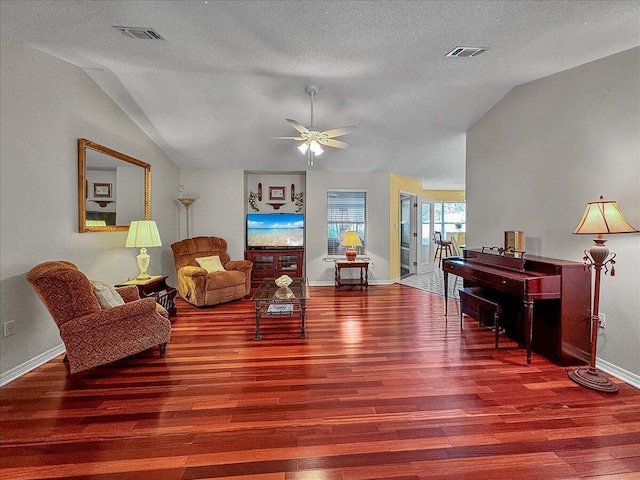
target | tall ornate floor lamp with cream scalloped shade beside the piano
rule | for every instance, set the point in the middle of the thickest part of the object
(601, 217)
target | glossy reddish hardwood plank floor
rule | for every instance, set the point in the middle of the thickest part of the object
(382, 388)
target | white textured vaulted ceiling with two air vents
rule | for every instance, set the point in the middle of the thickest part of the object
(229, 73)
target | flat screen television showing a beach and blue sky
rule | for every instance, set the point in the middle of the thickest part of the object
(275, 230)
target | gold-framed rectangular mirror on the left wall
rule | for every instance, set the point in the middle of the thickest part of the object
(113, 189)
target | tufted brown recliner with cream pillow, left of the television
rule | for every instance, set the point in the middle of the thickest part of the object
(201, 288)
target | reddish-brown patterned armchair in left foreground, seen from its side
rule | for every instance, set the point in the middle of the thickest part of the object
(94, 335)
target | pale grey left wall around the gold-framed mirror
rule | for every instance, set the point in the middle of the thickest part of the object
(46, 105)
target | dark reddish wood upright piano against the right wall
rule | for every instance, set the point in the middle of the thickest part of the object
(546, 301)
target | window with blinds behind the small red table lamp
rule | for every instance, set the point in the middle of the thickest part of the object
(346, 210)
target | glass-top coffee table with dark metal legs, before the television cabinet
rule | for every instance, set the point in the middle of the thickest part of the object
(276, 302)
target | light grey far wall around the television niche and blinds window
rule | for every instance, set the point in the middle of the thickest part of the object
(223, 201)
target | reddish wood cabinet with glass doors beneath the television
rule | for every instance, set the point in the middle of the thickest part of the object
(272, 263)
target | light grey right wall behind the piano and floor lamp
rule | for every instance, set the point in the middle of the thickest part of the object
(543, 152)
